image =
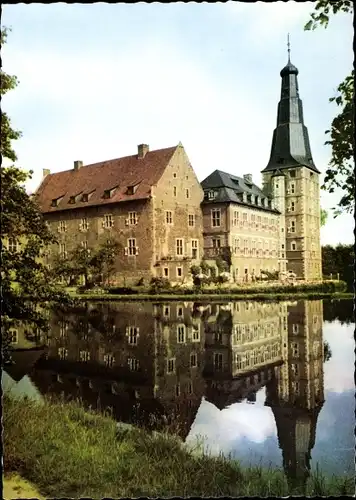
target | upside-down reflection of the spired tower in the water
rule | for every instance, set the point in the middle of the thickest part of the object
(298, 396)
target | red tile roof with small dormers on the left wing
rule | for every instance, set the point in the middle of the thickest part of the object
(98, 177)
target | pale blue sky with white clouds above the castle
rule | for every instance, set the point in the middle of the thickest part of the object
(96, 80)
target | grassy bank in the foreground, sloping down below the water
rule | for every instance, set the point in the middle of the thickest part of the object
(69, 452)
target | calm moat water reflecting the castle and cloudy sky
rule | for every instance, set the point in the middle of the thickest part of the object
(249, 379)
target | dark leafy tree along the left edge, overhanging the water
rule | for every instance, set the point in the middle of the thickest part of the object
(27, 284)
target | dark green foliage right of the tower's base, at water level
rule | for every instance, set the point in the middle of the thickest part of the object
(339, 260)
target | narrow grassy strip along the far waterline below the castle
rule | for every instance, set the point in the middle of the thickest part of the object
(220, 297)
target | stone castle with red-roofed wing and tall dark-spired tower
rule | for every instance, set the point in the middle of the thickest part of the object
(165, 220)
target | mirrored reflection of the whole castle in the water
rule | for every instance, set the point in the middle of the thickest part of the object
(144, 359)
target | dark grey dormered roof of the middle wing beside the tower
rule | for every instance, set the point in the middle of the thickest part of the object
(229, 189)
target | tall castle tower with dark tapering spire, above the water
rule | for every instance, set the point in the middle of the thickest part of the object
(297, 192)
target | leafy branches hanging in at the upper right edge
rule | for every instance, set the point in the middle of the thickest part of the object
(340, 173)
